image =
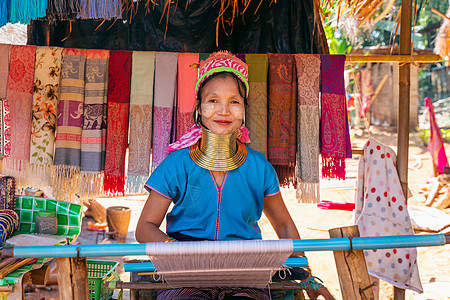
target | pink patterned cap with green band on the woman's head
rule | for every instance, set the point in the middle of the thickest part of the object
(222, 61)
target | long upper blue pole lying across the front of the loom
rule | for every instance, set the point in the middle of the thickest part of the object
(332, 244)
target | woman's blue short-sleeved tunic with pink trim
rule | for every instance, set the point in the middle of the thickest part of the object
(206, 209)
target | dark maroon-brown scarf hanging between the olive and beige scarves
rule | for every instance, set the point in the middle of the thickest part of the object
(282, 138)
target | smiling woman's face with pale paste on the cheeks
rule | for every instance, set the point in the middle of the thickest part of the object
(222, 109)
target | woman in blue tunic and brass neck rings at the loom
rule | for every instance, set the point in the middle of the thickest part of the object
(217, 185)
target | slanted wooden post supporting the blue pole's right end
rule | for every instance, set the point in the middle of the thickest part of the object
(351, 267)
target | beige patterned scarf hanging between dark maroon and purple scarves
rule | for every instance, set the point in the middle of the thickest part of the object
(308, 128)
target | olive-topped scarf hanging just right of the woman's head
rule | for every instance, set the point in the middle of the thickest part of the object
(256, 113)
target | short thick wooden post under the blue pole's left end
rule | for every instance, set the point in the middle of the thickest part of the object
(72, 278)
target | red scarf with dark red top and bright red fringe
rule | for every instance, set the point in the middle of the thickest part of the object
(119, 84)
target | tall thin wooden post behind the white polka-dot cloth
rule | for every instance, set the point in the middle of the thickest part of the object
(404, 108)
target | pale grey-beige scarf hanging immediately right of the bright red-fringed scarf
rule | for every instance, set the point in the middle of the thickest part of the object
(141, 111)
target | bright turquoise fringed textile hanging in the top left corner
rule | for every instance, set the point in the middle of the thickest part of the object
(23, 11)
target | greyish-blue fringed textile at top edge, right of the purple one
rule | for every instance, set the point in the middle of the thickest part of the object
(100, 9)
